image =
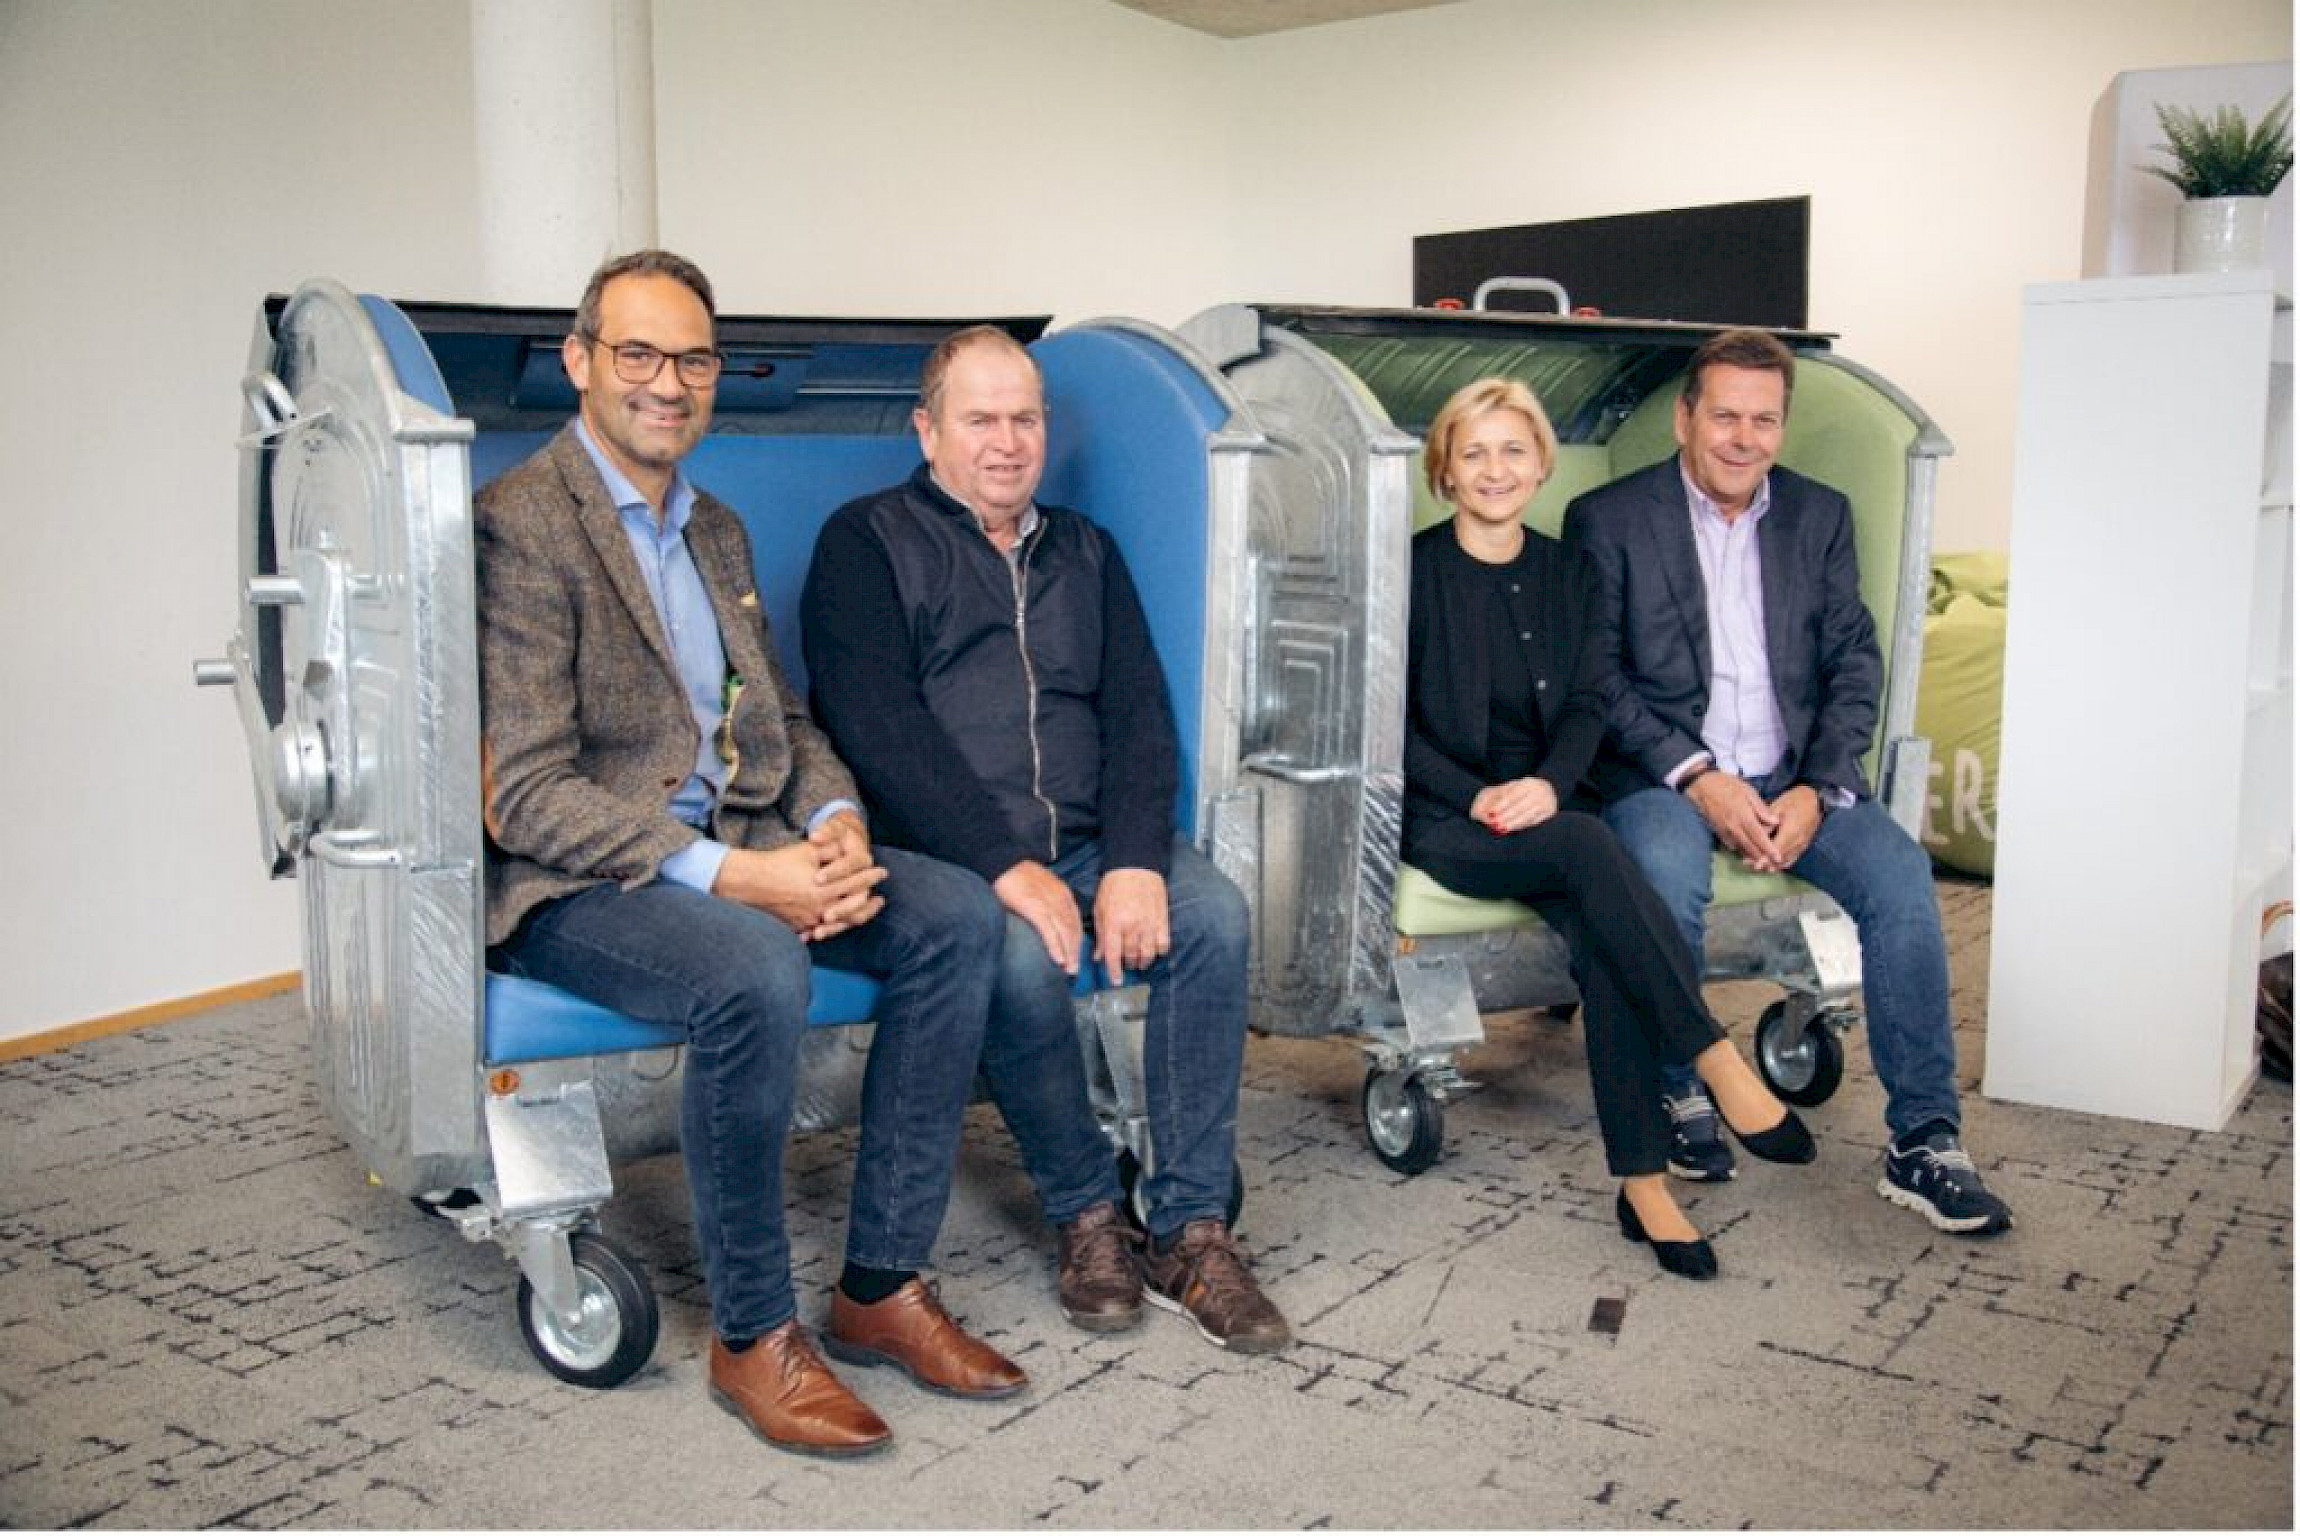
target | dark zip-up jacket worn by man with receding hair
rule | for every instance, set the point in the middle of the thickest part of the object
(990, 712)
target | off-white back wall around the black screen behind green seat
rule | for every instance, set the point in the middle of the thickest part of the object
(1942, 144)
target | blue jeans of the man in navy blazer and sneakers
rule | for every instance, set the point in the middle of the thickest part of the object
(1883, 882)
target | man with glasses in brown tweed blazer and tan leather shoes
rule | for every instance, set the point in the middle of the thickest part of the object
(673, 838)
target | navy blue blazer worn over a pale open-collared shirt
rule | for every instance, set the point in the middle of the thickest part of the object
(1650, 629)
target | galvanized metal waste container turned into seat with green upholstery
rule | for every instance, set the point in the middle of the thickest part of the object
(1310, 804)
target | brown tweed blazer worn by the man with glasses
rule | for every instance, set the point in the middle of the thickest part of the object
(583, 719)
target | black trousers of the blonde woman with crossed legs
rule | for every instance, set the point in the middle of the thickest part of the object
(1641, 997)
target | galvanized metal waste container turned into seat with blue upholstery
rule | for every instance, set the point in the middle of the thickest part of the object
(369, 427)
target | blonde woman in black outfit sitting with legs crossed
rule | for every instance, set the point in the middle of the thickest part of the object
(1501, 728)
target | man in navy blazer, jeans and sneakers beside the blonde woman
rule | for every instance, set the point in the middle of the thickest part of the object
(1742, 682)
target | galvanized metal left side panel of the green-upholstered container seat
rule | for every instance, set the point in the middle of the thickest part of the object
(1310, 829)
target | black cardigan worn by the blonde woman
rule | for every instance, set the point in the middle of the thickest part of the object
(1448, 679)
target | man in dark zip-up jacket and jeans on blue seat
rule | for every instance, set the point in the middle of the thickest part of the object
(986, 670)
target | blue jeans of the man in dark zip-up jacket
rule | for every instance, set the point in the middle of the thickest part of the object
(1195, 1050)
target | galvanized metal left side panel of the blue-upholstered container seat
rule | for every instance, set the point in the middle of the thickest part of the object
(355, 668)
